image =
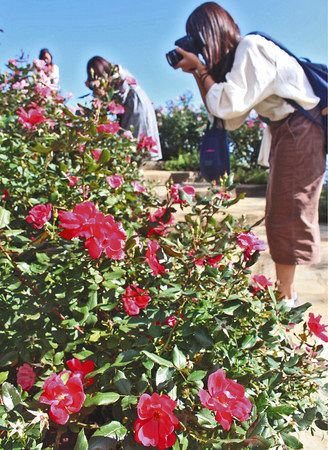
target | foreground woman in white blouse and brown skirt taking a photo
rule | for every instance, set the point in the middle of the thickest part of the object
(242, 73)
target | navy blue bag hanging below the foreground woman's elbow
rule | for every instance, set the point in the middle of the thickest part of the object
(214, 158)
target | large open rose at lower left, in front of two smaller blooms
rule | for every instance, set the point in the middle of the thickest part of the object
(64, 398)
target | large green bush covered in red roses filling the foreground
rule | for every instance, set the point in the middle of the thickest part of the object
(121, 326)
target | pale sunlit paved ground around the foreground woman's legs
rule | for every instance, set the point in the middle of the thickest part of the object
(311, 282)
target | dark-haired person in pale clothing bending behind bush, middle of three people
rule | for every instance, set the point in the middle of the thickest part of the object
(139, 111)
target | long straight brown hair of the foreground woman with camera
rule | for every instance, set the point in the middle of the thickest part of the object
(221, 35)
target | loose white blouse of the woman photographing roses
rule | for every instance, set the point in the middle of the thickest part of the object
(261, 77)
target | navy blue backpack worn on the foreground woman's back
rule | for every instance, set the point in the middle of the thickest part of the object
(317, 75)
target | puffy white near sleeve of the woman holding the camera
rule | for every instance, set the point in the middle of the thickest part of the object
(250, 81)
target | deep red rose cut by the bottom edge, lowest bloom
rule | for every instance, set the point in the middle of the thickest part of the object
(156, 422)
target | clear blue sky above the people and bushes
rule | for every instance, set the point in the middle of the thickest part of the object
(138, 33)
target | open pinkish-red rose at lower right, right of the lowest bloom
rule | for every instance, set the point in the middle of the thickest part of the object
(227, 398)
